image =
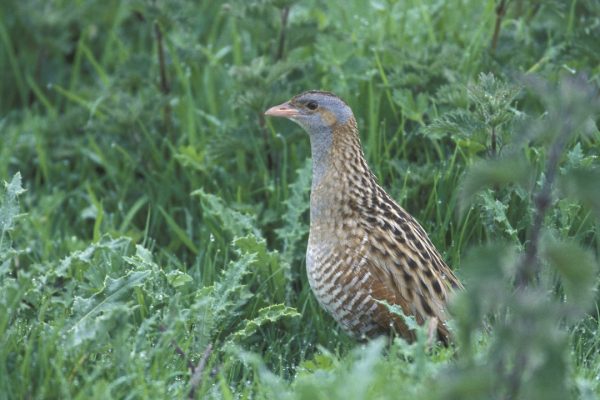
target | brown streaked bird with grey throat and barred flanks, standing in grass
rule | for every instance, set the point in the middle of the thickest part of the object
(365, 253)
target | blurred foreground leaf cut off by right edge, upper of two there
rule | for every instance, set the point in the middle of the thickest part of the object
(583, 184)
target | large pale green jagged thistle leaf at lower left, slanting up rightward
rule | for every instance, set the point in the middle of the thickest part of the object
(94, 316)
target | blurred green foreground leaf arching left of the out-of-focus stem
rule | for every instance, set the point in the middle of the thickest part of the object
(499, 172)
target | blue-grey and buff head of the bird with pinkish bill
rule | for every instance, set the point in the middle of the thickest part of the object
(315, 111)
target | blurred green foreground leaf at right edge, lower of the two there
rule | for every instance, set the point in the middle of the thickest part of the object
(577, 268)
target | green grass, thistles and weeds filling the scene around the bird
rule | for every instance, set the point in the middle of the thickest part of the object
(153, 223)
